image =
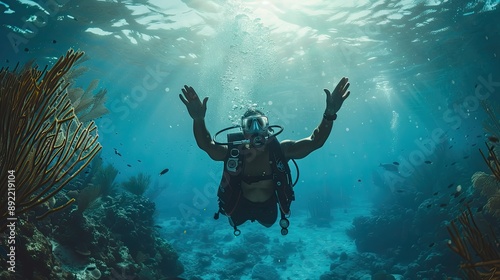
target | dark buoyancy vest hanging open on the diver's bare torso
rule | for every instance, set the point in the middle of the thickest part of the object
(230, 192)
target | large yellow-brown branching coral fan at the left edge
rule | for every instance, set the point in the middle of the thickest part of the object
(42, 140)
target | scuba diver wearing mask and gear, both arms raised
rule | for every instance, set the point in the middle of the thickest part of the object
(256, 180)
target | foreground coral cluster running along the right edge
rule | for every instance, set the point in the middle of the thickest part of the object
(480, 251)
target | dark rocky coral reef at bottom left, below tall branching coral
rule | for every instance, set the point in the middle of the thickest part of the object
(103, 242)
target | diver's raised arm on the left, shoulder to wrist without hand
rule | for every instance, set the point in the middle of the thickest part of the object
(205, 142)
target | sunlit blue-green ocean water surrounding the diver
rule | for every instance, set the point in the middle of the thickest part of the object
(419, 72)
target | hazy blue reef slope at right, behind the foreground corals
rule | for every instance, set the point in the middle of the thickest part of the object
(408, 219)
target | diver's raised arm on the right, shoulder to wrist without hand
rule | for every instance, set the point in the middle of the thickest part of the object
(301, 148)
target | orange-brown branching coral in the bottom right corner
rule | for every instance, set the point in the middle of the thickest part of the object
(484, 261)
